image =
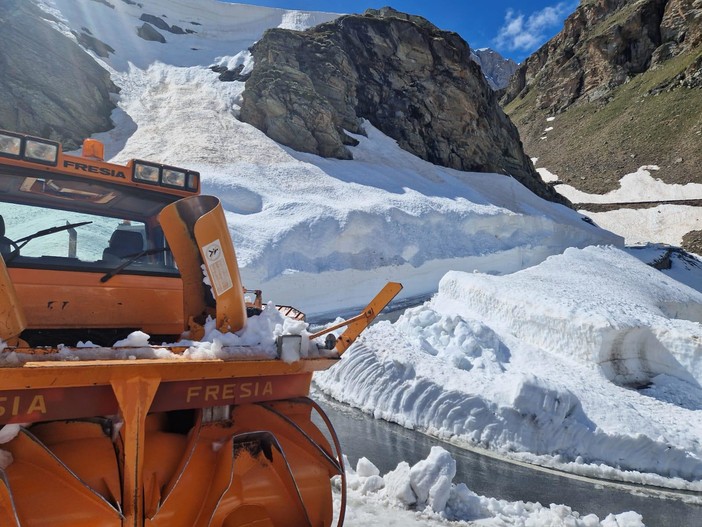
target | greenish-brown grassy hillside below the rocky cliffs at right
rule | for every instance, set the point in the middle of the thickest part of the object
(649, 120)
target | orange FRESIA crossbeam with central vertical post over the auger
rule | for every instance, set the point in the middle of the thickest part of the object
(135, 388)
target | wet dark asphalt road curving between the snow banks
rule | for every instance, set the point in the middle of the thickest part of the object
(386, 444)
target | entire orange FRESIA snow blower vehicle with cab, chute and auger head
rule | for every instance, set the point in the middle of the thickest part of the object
(129, 433)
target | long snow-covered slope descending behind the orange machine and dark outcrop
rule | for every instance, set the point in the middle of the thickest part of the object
(307, 230)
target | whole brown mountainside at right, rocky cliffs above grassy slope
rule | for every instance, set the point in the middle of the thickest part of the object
(621, 87)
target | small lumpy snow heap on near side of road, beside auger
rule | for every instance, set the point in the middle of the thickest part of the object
(428, 490)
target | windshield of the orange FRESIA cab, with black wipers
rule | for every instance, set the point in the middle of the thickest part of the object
(81, 241)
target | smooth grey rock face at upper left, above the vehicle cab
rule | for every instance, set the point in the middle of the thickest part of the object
(50, 87)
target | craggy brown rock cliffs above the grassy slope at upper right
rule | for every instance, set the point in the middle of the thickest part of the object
(603, 44)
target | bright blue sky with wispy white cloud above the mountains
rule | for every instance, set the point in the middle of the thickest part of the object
(514, 28)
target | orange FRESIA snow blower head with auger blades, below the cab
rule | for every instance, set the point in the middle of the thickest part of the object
(265, 464)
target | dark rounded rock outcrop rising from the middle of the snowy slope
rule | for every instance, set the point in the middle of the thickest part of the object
(414, 82)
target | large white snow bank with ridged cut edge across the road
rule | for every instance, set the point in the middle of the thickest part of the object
(539, 365)
